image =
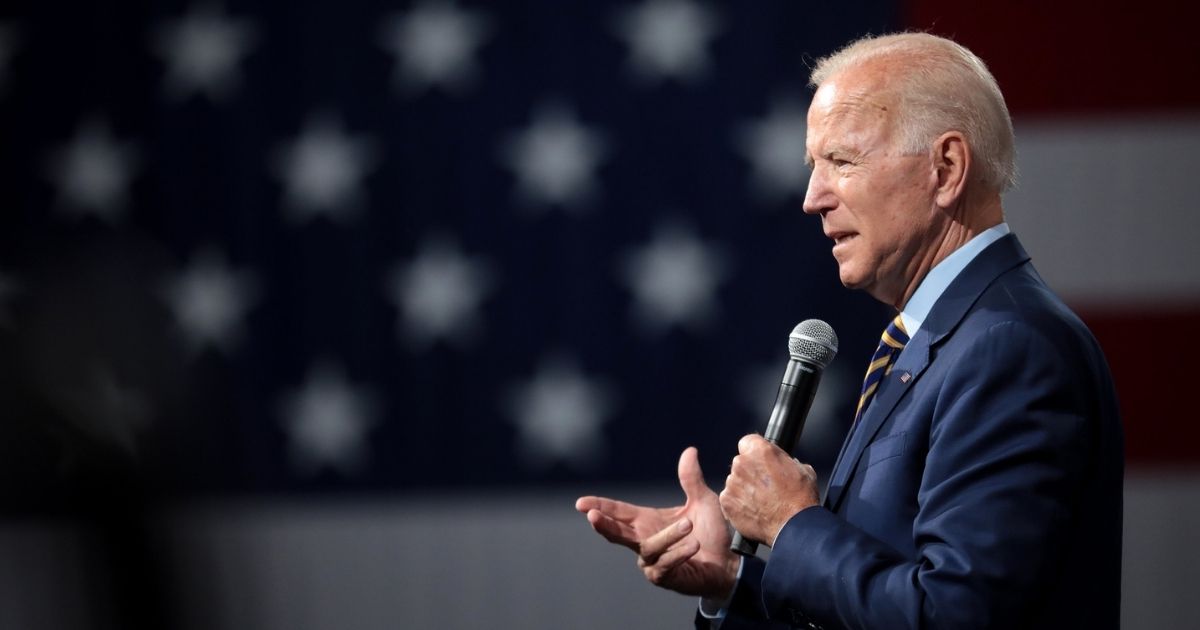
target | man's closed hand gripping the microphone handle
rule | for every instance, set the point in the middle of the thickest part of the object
(766, 488)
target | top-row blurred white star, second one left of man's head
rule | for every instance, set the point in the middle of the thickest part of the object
(435, 46)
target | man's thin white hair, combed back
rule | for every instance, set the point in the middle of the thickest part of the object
(943, 87)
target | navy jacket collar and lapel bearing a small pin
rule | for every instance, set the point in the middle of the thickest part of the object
(946, 315)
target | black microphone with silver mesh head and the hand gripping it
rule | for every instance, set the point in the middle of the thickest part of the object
(813, 345)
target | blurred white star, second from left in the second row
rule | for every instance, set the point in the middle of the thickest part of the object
(323, 171)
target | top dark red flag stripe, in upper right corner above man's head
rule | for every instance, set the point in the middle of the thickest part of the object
(1076, 56)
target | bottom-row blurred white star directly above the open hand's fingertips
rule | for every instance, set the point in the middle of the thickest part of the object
(559, 417)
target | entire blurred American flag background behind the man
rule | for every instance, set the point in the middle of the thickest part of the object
(321, 315)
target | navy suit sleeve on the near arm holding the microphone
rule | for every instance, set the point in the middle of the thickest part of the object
(1009, 447)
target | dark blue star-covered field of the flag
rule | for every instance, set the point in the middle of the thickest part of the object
(315, 248)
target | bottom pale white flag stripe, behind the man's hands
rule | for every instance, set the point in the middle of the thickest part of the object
(483, 561)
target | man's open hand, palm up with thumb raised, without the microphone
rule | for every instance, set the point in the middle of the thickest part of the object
(685, 549)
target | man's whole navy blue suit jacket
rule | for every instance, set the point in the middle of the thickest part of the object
(982, 489)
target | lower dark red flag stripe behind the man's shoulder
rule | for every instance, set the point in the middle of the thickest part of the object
(1154, 362)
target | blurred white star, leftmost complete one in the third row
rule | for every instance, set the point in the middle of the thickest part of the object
(209, 302)
